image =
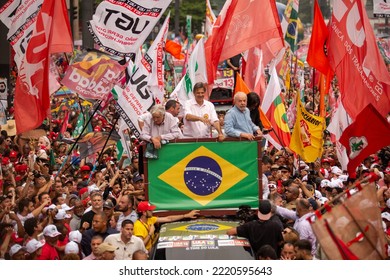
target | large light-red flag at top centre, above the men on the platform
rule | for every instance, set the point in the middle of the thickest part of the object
(233, 35)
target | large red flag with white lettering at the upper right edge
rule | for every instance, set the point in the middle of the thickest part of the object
(354, 55)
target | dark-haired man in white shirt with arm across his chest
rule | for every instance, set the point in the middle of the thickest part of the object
(200, 115)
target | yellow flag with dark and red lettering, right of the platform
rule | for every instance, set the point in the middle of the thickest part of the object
(307, 139)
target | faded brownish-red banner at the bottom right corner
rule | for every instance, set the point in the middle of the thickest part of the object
(352, 229)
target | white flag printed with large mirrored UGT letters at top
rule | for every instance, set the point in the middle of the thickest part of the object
(121, 26)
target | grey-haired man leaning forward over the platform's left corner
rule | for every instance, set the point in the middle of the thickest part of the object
(158, 126)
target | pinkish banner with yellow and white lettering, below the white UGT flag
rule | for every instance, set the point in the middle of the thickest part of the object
(92, 75)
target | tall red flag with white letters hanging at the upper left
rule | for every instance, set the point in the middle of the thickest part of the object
(51, 34)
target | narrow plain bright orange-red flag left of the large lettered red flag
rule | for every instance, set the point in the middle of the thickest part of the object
(316, 55)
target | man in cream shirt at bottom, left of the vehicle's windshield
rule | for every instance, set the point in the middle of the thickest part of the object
(125, 242)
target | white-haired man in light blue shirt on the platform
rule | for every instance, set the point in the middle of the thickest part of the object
(238, 122)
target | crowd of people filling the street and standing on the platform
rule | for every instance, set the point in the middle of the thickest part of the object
(56, 206)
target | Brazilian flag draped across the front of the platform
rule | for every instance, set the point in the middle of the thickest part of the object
(204, 175)
